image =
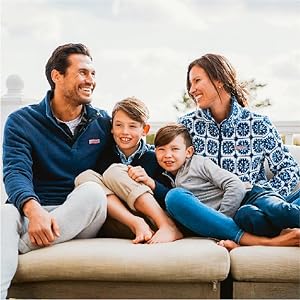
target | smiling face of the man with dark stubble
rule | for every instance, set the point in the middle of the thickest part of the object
(78, 83)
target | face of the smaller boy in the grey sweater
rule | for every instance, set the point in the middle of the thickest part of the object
(172, 156)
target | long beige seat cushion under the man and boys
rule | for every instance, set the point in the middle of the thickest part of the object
(108, 259)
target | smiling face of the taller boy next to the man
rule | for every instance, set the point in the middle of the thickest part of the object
(127, 132)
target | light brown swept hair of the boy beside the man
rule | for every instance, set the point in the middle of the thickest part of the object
(134, 108)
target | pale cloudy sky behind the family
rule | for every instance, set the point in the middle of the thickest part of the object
(142, 48)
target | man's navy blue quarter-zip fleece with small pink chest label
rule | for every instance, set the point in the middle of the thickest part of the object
(40, 160)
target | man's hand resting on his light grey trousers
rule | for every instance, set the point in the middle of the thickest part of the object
(42, 227)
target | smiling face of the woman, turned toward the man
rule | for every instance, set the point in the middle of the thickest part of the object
(202, 89)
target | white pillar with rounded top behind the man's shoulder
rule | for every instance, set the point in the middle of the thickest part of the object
(10, 101)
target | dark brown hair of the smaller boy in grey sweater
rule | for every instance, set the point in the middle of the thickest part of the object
(168, 133)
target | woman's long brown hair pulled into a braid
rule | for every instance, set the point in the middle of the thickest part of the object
(217, 67)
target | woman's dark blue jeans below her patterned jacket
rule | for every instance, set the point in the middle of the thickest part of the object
(265, 212)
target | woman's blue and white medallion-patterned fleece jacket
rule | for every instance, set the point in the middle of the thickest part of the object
(241, 144)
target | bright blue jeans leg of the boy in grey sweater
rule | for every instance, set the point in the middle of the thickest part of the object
(203, 220)
